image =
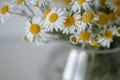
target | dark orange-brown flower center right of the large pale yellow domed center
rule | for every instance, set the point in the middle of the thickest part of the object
(103, 19)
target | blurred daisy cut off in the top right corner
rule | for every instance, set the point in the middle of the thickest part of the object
(113, 4)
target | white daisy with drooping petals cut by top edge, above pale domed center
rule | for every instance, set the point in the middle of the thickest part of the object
(79, 4)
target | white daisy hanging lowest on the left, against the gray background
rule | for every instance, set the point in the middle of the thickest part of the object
(34, 30)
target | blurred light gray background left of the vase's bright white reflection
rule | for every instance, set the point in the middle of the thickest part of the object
(23, 61)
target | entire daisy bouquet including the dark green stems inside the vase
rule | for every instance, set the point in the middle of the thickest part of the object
(82, 23)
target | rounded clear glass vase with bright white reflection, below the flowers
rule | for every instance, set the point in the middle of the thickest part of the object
(71, 63)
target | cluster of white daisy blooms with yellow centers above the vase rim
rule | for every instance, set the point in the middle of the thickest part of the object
(82, 21)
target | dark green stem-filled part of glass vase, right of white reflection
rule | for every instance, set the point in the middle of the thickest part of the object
(104, 65)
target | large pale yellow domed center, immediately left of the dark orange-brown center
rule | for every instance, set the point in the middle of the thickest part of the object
(87, 17)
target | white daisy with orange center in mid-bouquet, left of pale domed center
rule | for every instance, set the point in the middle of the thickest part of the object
(71, 23)
